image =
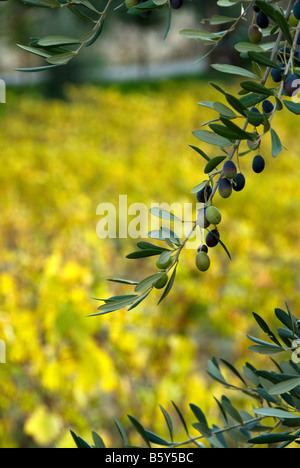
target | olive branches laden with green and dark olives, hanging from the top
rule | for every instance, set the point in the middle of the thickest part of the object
(274, 37)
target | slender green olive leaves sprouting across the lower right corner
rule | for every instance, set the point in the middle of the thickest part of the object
(275, 417)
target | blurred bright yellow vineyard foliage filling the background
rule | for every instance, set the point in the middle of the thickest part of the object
(59, 161)
